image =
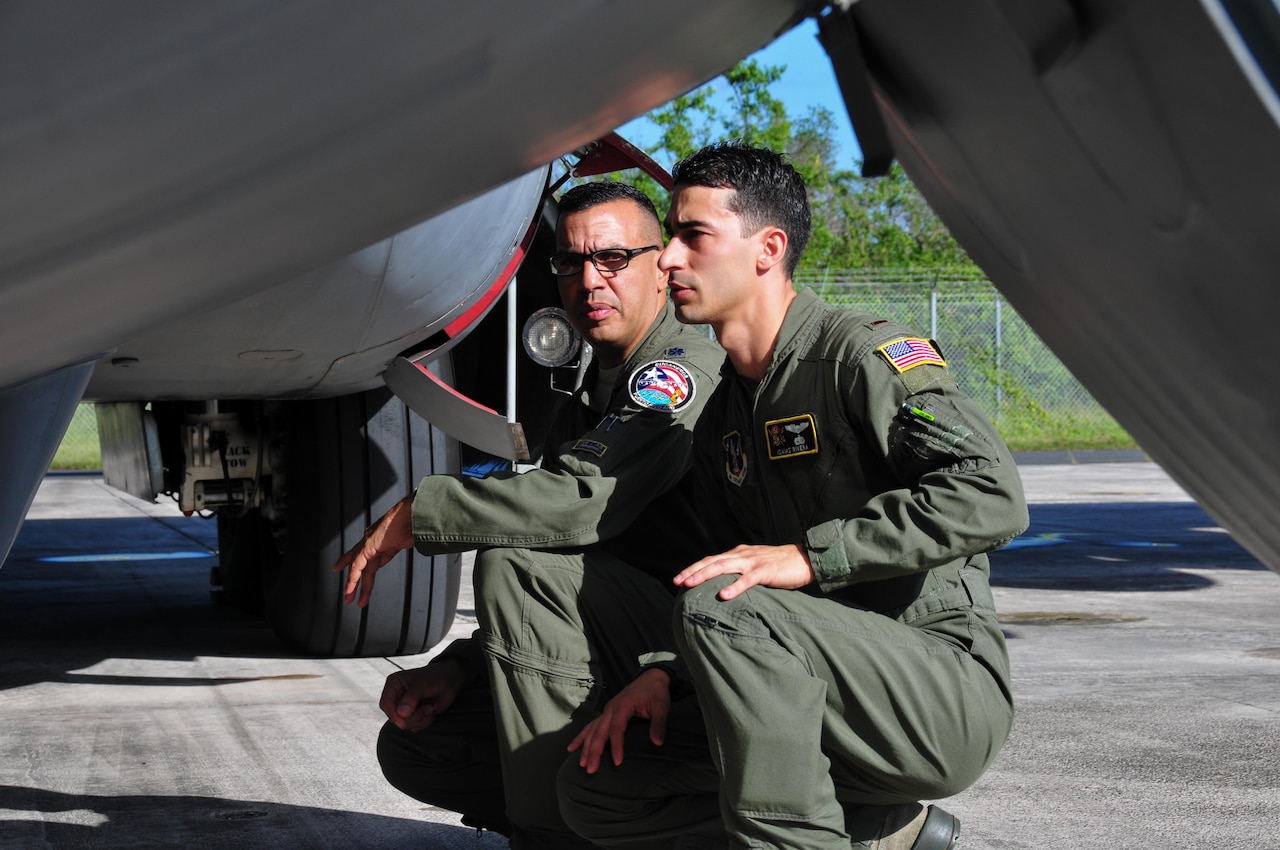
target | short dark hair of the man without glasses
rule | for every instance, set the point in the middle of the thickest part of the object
(767, 190)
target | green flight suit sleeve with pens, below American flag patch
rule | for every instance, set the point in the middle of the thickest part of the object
(959, 492)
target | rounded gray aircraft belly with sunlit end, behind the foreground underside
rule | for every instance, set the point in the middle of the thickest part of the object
(332, 331)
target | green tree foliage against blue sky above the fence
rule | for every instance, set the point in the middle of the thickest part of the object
(857, 222)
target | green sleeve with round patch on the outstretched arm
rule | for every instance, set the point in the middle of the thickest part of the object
(592, 490)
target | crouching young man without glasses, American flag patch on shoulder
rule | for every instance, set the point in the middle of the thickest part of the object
(845, 651)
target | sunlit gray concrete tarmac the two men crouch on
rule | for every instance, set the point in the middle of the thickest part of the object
(135, 714)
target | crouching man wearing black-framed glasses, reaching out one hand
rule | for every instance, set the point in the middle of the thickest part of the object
(575, 561)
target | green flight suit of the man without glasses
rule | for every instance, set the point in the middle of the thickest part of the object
(888, 680)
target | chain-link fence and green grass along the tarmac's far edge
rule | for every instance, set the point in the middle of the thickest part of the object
(995, 357)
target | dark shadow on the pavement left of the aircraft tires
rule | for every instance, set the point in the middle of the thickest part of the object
(77, 592)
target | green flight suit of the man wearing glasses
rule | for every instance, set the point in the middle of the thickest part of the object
(573, 583)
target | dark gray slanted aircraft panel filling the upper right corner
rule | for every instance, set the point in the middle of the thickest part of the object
(1112, 166)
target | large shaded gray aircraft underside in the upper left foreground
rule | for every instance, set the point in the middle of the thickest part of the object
(161, 159)
